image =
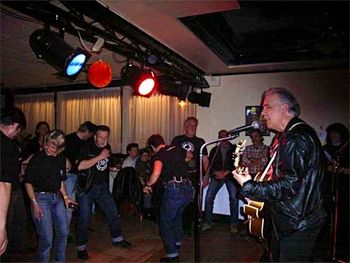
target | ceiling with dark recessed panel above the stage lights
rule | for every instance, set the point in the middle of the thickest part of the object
(195, 38)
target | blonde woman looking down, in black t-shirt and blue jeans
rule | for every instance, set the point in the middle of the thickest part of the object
(44, 184)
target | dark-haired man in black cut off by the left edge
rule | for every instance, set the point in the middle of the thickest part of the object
(11, 123)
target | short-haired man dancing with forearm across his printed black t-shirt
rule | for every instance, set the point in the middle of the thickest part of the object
(95, 157)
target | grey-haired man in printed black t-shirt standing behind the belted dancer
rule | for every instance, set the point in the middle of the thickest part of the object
(192, 144)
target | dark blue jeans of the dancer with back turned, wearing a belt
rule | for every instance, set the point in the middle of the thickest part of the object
(175, 199)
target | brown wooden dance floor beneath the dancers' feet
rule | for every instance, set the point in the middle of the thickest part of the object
(217, 245)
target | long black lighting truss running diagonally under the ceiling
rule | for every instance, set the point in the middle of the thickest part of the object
(44, 11)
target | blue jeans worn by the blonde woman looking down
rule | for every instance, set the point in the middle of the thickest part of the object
(54, 214)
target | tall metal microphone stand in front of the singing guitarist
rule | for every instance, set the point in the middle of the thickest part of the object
(197, 256)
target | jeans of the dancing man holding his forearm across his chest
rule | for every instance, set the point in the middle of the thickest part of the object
(101, 195)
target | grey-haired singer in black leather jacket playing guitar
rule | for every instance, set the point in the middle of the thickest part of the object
(293, 192)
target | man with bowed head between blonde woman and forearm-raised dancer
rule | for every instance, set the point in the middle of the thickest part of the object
(73, 142)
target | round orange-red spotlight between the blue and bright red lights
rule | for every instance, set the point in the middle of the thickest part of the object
(100, 74)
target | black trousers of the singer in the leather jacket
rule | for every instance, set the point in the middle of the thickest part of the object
(295, 247)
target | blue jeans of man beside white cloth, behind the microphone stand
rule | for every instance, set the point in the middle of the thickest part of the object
(214, 187)
